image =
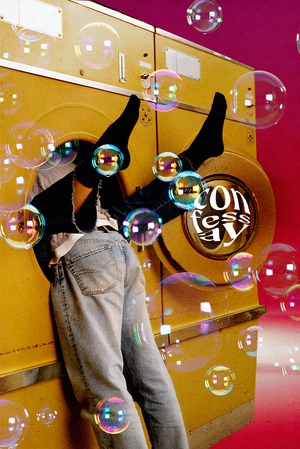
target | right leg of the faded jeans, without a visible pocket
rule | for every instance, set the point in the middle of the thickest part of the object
(147, 375)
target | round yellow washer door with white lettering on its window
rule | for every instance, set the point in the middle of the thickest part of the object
(237, 215)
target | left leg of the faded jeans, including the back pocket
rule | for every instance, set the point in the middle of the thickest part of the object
(88, 300)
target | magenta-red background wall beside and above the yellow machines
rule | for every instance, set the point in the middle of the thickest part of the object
(262, 34)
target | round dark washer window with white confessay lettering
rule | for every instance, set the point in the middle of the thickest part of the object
(223, 223)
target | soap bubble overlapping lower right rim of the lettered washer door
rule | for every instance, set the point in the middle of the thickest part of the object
(240, 272)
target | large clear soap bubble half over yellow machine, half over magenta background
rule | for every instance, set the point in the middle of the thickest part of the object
(258, 99)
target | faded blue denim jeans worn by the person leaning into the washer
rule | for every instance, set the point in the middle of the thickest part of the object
(98, 297)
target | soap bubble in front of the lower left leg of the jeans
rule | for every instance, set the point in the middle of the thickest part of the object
(112, 415)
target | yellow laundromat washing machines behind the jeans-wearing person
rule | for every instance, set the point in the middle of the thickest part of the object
(52, 83)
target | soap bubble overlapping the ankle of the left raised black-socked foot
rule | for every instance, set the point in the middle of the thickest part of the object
(107, 160)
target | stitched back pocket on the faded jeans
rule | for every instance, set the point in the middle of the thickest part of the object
(94, 270)
